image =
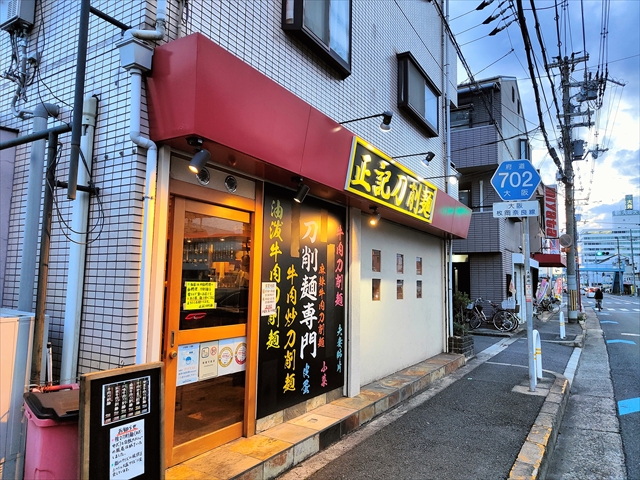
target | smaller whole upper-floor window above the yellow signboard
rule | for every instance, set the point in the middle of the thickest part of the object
(417, 95)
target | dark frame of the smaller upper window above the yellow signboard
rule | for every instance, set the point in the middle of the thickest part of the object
(404, 95)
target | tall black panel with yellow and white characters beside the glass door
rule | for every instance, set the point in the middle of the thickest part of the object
(301, 351)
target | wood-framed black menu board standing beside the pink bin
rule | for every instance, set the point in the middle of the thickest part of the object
(121, 423)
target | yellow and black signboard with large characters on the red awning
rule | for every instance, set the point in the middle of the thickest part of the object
(380, 178)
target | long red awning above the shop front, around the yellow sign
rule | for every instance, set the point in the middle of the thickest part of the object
(255, 125)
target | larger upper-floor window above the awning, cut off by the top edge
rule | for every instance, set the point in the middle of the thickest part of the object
(324, 26)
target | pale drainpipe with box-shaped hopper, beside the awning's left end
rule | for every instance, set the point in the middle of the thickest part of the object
(135, 56)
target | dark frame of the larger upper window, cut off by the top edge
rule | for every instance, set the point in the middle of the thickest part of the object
(293, 22)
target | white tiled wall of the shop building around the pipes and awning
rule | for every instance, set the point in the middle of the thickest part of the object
(248, 29)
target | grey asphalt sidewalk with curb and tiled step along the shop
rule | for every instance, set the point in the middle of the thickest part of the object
(440, 393)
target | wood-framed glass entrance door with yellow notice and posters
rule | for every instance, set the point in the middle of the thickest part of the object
(206, 327)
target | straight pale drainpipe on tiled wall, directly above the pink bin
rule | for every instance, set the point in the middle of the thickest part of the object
(78, 249)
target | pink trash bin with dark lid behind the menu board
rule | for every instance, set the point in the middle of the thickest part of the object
(52, 434)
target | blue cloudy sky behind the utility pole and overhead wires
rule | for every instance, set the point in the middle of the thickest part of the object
(612, 41)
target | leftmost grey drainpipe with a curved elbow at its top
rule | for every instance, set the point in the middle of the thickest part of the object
(32, 216)
